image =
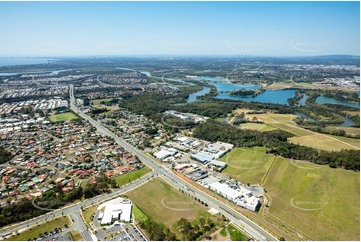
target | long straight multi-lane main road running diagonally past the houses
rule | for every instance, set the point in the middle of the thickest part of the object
(250, 227)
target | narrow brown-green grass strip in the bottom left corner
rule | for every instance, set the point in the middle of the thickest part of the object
(40, 229)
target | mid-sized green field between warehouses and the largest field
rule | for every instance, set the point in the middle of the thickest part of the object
(247, 165)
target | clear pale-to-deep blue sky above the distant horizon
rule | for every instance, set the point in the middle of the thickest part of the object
(179, 28)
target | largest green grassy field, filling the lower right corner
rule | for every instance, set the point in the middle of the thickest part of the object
(321, 202)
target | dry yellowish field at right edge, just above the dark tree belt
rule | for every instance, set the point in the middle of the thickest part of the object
(325, 142)
